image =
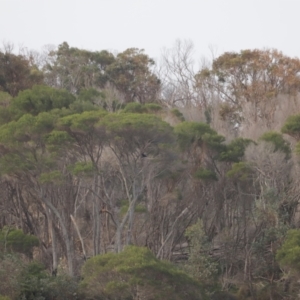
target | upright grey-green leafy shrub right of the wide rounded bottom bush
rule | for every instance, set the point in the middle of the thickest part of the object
(200, 265)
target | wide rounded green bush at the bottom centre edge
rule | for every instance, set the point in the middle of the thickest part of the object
(136, 272)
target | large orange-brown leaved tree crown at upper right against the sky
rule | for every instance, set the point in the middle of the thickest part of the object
(250, 80)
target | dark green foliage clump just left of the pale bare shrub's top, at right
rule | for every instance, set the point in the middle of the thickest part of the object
(235, 150)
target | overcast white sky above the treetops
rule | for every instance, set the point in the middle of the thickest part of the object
(228, 25)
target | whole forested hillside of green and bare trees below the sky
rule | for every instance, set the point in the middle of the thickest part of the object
(126, 178)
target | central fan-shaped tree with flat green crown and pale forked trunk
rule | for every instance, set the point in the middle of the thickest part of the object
(138, 141)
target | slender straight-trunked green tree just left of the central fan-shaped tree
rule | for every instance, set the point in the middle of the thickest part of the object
(88, 141)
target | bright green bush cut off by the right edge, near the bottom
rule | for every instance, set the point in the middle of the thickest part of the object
(289, 254)
